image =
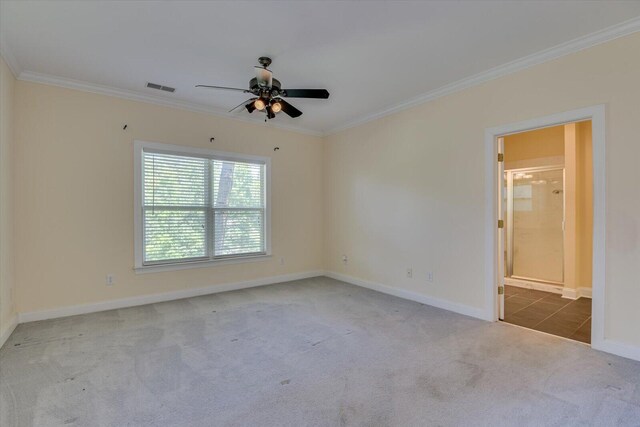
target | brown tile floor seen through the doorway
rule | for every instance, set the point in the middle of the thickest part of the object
(548, 312)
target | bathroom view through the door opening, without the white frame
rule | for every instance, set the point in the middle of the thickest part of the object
(548, 230)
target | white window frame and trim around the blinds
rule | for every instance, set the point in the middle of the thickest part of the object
(139, 147)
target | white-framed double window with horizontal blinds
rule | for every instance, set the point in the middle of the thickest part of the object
(196, 205)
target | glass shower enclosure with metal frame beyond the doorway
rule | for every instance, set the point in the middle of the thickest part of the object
(534, 204)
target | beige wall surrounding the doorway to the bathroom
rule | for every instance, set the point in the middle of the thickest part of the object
(408, 189)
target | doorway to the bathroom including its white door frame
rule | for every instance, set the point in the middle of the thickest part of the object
(541, 246)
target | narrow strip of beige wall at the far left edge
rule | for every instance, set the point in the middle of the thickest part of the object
(7, 284)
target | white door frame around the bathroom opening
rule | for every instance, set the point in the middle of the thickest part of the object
(597, 116)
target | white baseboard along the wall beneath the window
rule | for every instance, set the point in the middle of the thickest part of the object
(154, 298)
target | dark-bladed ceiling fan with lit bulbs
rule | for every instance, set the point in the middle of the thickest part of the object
(268, 93)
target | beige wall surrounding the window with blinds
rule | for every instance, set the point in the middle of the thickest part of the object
(74, 195)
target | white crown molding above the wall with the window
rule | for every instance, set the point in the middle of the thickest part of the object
(30, 76)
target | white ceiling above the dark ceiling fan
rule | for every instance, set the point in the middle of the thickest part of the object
(371, 56)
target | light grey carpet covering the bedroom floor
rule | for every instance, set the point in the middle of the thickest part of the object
(314, 352)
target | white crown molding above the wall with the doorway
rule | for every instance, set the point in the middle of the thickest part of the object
(581, 43)
